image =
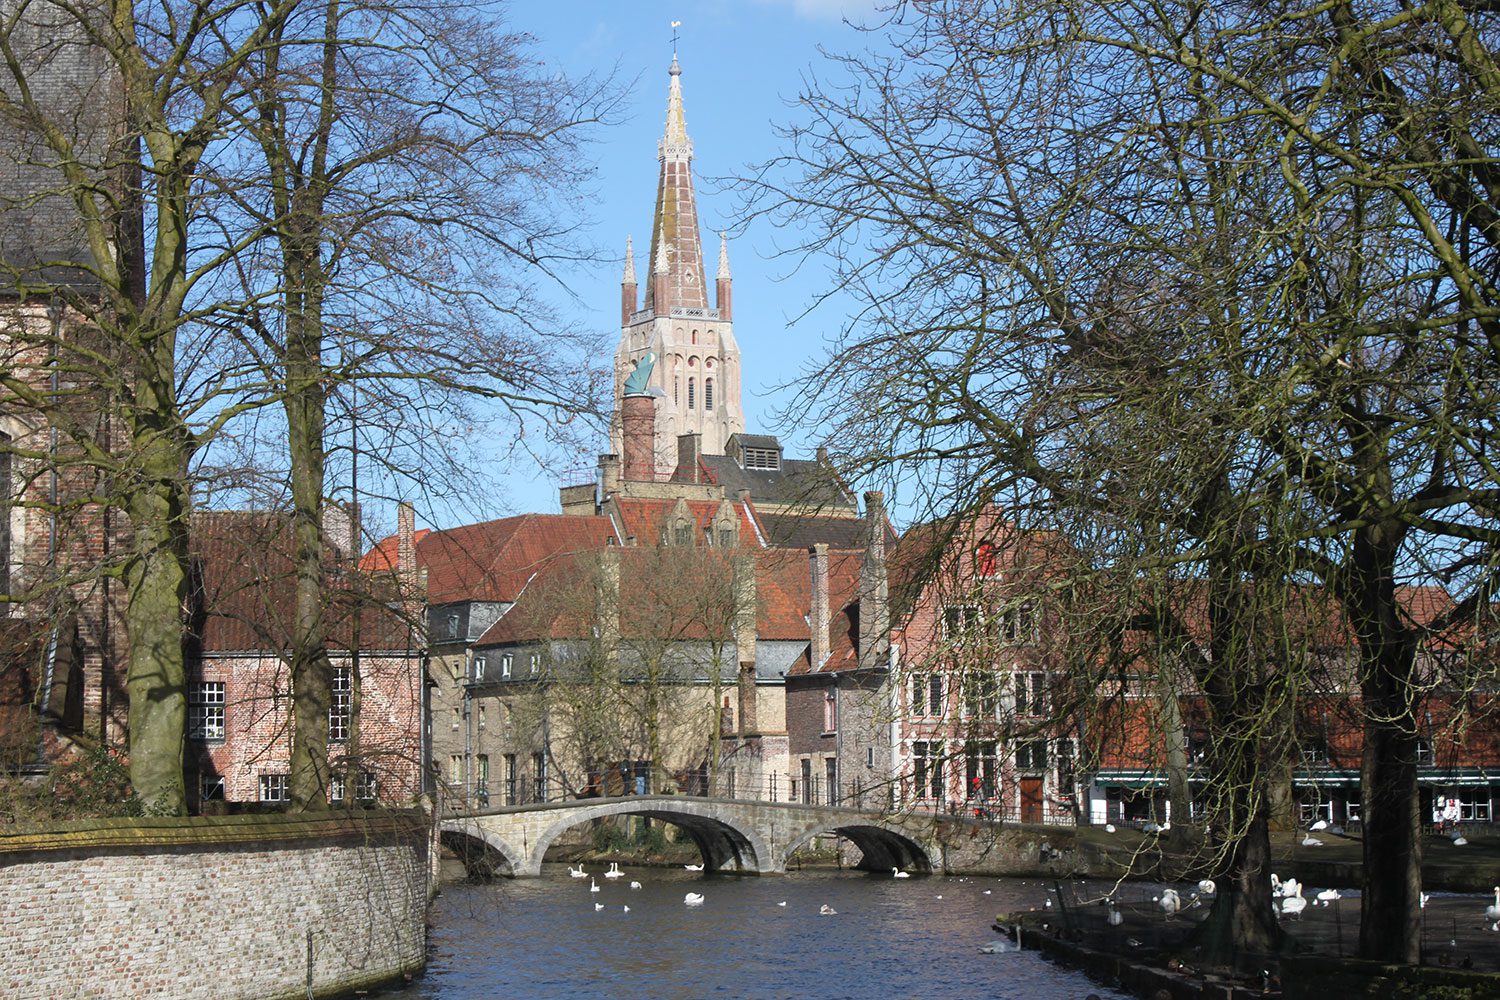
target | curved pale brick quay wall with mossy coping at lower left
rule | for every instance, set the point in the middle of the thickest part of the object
(254, 908)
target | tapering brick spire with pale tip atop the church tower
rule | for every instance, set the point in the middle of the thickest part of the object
(677, 212)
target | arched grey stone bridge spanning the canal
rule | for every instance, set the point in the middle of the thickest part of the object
(731, 834)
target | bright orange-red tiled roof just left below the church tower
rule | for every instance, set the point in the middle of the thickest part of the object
(491, 561)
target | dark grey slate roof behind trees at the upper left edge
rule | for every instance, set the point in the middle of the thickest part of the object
(76, 91)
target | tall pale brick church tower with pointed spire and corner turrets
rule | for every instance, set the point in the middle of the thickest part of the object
(697, 374)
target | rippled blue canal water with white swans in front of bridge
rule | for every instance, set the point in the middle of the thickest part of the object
(890, 938)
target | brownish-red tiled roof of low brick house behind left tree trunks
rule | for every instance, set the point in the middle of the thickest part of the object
(245, 590)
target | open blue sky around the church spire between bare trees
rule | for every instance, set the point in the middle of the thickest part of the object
(743, 61)
